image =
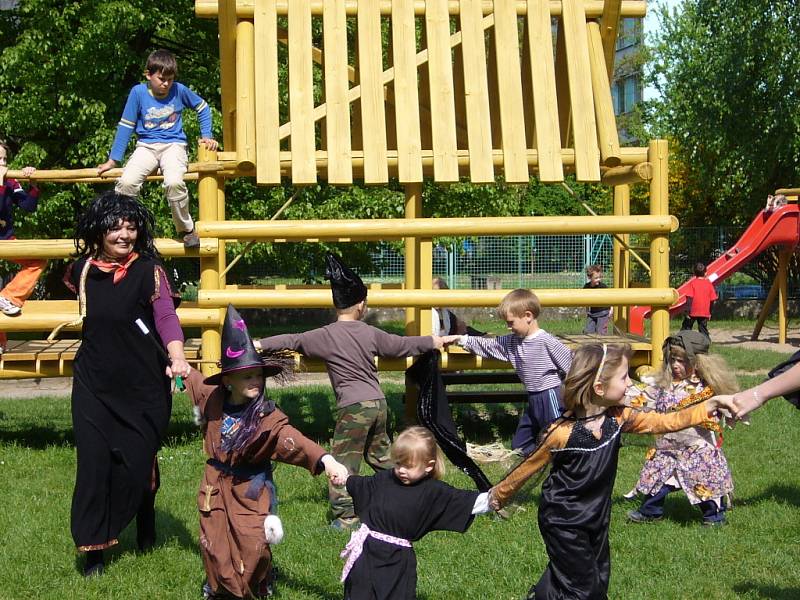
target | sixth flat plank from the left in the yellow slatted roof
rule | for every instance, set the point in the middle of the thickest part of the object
(440, 74)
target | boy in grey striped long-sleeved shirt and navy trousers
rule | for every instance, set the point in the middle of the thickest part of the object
(539, 359)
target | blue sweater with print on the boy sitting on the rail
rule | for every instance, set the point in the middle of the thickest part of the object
(158, 120)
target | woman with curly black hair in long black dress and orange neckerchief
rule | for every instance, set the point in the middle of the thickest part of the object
(121, 396)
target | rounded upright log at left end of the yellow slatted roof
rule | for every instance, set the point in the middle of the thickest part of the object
(245, 95)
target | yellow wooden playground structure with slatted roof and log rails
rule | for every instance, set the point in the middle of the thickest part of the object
(412, 90)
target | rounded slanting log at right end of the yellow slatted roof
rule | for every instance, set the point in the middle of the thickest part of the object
(607, 135)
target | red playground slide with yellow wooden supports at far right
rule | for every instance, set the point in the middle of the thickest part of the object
(775, 227)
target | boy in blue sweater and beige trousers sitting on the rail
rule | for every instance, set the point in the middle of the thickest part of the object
(154, 111)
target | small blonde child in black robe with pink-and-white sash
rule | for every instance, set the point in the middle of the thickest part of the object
(397, 507)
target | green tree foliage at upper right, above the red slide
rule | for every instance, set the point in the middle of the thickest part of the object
(727, 73)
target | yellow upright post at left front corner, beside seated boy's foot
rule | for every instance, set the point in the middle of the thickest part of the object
(208, 199)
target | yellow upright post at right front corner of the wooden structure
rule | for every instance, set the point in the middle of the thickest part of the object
(658, 156)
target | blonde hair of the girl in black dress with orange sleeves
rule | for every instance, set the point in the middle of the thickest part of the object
(590, 363)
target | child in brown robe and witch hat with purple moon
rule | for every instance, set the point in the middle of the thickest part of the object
(243, 432)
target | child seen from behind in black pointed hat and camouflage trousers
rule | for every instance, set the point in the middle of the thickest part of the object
(349, 347)
